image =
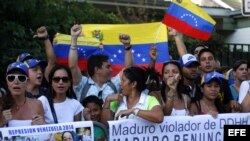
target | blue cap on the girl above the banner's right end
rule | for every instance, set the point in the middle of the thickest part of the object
(208, 77)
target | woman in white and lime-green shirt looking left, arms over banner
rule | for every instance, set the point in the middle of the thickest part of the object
(133, 102)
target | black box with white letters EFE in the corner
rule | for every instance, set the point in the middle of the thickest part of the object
(239, 132)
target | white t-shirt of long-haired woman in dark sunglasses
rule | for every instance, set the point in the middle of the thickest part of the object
(65, 111)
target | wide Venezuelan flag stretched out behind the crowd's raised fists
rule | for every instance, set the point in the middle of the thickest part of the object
(142, 38)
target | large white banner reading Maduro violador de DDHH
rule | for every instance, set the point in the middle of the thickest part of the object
(176, 128)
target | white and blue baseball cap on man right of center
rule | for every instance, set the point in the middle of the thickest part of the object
(188, 59)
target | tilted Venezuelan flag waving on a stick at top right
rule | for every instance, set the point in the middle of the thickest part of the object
(189, 19)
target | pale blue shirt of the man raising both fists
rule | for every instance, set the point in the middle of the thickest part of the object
(95, 89)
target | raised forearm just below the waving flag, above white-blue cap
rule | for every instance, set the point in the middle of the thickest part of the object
(178, 40)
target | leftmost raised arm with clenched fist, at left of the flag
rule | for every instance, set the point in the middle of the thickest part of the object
(42, 33)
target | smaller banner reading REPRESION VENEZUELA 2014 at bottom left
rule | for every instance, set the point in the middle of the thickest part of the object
(78, 131)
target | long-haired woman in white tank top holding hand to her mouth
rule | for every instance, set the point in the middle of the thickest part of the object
(174, 102)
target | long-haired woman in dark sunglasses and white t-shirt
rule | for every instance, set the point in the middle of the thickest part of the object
(62, 99)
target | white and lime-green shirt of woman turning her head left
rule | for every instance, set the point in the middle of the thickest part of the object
(146, 102)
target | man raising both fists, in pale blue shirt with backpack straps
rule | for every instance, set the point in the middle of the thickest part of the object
(99, 69)
